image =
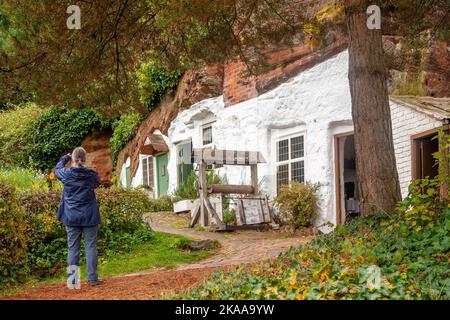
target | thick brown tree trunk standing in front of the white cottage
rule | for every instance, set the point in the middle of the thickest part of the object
(375, 158)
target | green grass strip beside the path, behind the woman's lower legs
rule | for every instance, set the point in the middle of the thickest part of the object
(159, 253)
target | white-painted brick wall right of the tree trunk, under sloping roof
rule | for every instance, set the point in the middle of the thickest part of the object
(407, 122)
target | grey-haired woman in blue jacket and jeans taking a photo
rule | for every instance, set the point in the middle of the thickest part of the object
(78, 210)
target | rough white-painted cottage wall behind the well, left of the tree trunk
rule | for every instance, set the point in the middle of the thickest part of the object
(316, 102)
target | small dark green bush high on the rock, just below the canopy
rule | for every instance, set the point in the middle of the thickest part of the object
(155, 82)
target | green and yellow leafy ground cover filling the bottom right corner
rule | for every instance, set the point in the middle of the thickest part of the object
(345, 264)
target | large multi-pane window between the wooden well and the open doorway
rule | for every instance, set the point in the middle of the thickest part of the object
(290, 160)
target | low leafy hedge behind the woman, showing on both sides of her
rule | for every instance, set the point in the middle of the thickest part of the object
(29, 219)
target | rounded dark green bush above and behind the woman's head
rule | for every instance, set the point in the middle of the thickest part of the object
(58, 131)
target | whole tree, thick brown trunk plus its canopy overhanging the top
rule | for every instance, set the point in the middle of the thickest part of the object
(96, 66)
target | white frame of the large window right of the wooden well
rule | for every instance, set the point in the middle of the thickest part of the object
(288, 134)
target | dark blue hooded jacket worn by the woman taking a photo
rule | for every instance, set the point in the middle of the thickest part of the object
(78, 206)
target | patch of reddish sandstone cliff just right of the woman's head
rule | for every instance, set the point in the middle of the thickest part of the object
(98, 147)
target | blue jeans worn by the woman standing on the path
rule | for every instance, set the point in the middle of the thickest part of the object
(90, 246)
